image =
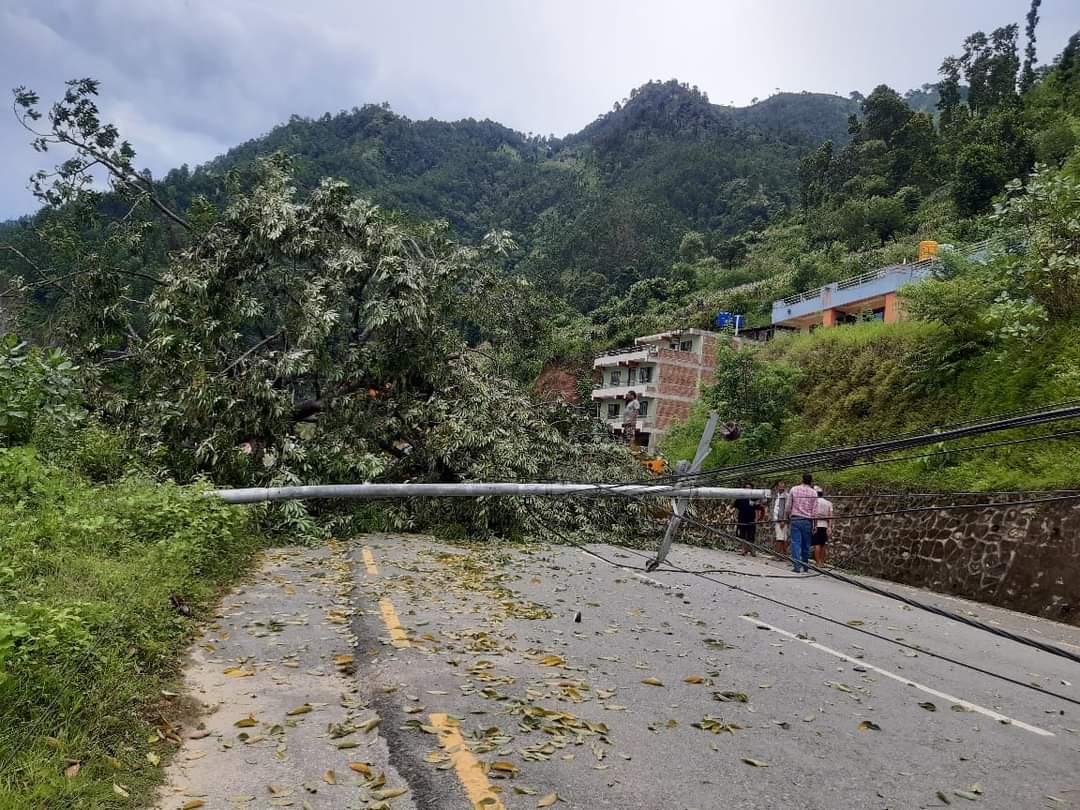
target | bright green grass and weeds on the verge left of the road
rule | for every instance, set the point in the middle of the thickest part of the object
(91, 577)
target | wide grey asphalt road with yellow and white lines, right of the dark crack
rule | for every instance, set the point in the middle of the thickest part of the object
(476, 663)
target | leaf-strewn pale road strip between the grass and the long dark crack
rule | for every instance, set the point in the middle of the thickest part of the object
(275, 718)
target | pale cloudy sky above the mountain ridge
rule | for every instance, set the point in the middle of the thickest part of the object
(187, 79)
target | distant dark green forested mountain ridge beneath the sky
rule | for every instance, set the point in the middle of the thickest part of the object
(593, 212)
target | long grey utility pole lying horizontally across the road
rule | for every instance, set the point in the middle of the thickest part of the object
(380, 492)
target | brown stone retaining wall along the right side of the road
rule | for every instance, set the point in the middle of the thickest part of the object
(1021, 558)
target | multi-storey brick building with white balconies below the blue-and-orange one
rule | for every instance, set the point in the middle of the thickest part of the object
(666, 371)
